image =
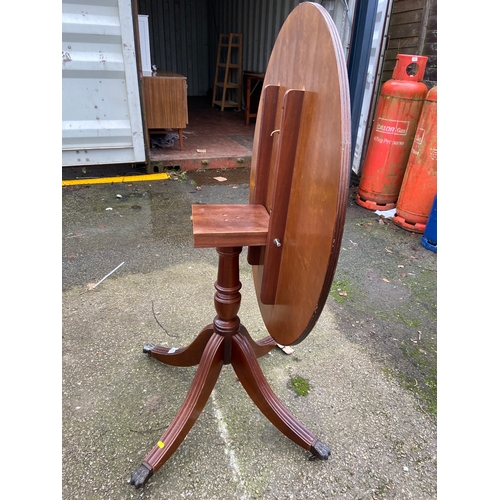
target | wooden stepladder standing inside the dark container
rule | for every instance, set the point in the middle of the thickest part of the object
(228, 74)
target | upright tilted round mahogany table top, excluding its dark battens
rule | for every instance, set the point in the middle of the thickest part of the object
(308, 56)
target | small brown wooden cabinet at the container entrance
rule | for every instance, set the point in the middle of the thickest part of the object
(165, 96)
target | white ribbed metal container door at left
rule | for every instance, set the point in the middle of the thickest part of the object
(101, 110)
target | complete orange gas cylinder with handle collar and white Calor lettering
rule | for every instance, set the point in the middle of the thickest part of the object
(396, 118)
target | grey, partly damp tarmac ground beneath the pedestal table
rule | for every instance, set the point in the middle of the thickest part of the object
(369, 363)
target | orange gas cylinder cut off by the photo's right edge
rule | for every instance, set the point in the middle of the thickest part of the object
(419, 185)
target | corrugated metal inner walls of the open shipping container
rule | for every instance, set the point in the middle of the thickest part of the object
(184, 34)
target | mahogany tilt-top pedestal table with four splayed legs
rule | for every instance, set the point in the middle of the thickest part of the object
(292, 226)
